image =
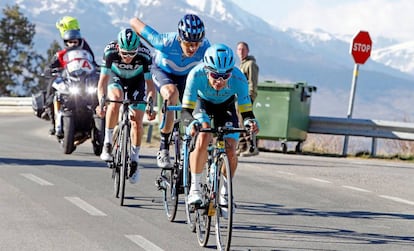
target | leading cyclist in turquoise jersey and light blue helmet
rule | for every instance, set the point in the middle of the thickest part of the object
(212, 89)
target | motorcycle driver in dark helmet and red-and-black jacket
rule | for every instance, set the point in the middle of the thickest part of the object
(72, 40)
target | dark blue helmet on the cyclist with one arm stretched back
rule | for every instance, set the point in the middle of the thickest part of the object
(191, 28)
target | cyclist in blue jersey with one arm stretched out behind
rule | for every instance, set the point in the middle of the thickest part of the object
(176, 53)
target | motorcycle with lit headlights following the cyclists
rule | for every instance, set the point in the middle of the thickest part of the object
(75, 92)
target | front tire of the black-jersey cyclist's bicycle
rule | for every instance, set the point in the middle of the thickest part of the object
(124, 160)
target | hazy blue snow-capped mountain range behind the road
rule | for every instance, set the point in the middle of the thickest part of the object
(384, 87)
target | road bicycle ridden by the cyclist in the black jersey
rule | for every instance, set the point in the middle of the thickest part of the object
(122, 145)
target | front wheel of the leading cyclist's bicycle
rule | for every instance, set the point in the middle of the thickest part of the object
(224, 214)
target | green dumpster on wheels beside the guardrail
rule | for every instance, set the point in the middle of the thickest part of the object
(283, 112)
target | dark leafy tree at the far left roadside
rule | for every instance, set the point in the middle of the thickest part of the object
(20, 65)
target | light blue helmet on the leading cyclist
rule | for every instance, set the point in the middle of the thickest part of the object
(219, 58)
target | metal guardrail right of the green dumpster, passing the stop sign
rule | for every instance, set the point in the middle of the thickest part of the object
(362, 127)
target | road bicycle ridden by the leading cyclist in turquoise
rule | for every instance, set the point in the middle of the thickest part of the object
(216, 164)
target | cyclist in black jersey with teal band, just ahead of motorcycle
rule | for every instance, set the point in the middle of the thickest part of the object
(129, 61)
